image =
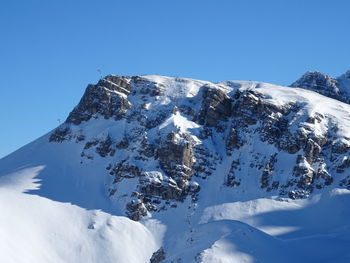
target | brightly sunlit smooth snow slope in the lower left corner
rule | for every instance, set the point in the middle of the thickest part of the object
(37, 229)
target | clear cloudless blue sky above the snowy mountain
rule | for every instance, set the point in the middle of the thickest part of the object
(50, 50)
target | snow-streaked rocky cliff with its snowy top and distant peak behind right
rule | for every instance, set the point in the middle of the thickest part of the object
(161, 138)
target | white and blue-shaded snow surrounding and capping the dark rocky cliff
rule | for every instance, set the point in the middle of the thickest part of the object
(54, 207)
